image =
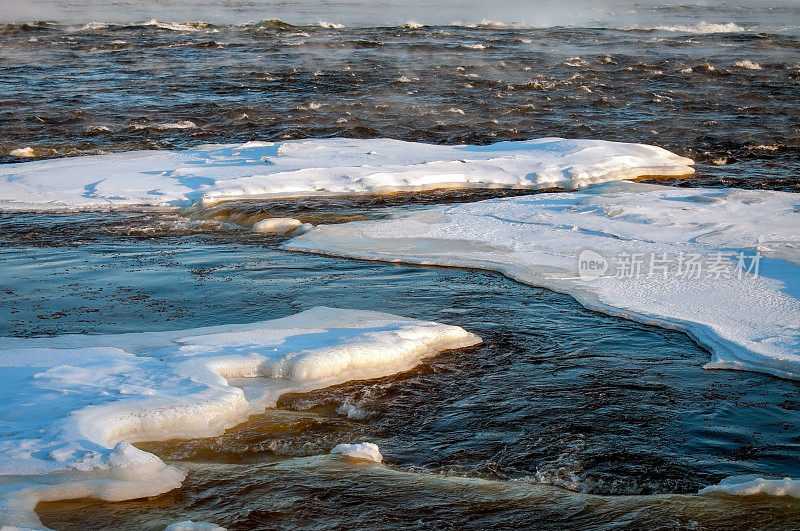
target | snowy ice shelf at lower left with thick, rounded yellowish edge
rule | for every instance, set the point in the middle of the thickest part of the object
(71, 405)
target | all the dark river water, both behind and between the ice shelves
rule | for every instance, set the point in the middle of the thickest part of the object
(562, 417)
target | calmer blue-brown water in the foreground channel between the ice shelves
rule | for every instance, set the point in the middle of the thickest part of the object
(558, 405)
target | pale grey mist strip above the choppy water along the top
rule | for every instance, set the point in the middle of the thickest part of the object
(392, 13)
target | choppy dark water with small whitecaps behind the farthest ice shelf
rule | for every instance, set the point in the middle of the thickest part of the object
(77, 87)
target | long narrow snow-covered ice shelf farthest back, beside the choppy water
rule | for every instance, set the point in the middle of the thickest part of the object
(316, 167)
